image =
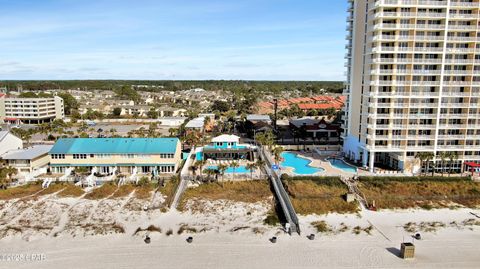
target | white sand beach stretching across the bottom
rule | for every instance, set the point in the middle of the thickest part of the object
(228, 235)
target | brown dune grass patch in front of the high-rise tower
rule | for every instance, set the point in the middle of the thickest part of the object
(427, 194)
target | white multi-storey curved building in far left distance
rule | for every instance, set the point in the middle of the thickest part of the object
(30, 110)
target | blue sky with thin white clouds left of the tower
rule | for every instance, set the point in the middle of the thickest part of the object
(172, 39)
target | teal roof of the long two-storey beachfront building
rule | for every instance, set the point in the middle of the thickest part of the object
(115, 145)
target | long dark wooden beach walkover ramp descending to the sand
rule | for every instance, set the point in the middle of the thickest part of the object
(280, 193)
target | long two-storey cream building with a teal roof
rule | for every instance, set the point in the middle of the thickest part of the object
(125, 155)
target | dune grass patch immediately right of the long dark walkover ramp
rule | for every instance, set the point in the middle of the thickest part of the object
(317, 196)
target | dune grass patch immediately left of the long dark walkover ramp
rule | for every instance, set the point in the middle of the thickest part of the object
(240, 191)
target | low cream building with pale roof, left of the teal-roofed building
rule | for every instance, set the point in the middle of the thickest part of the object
(27, 160)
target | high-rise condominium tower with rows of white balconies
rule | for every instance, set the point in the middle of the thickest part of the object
(413, 84)
